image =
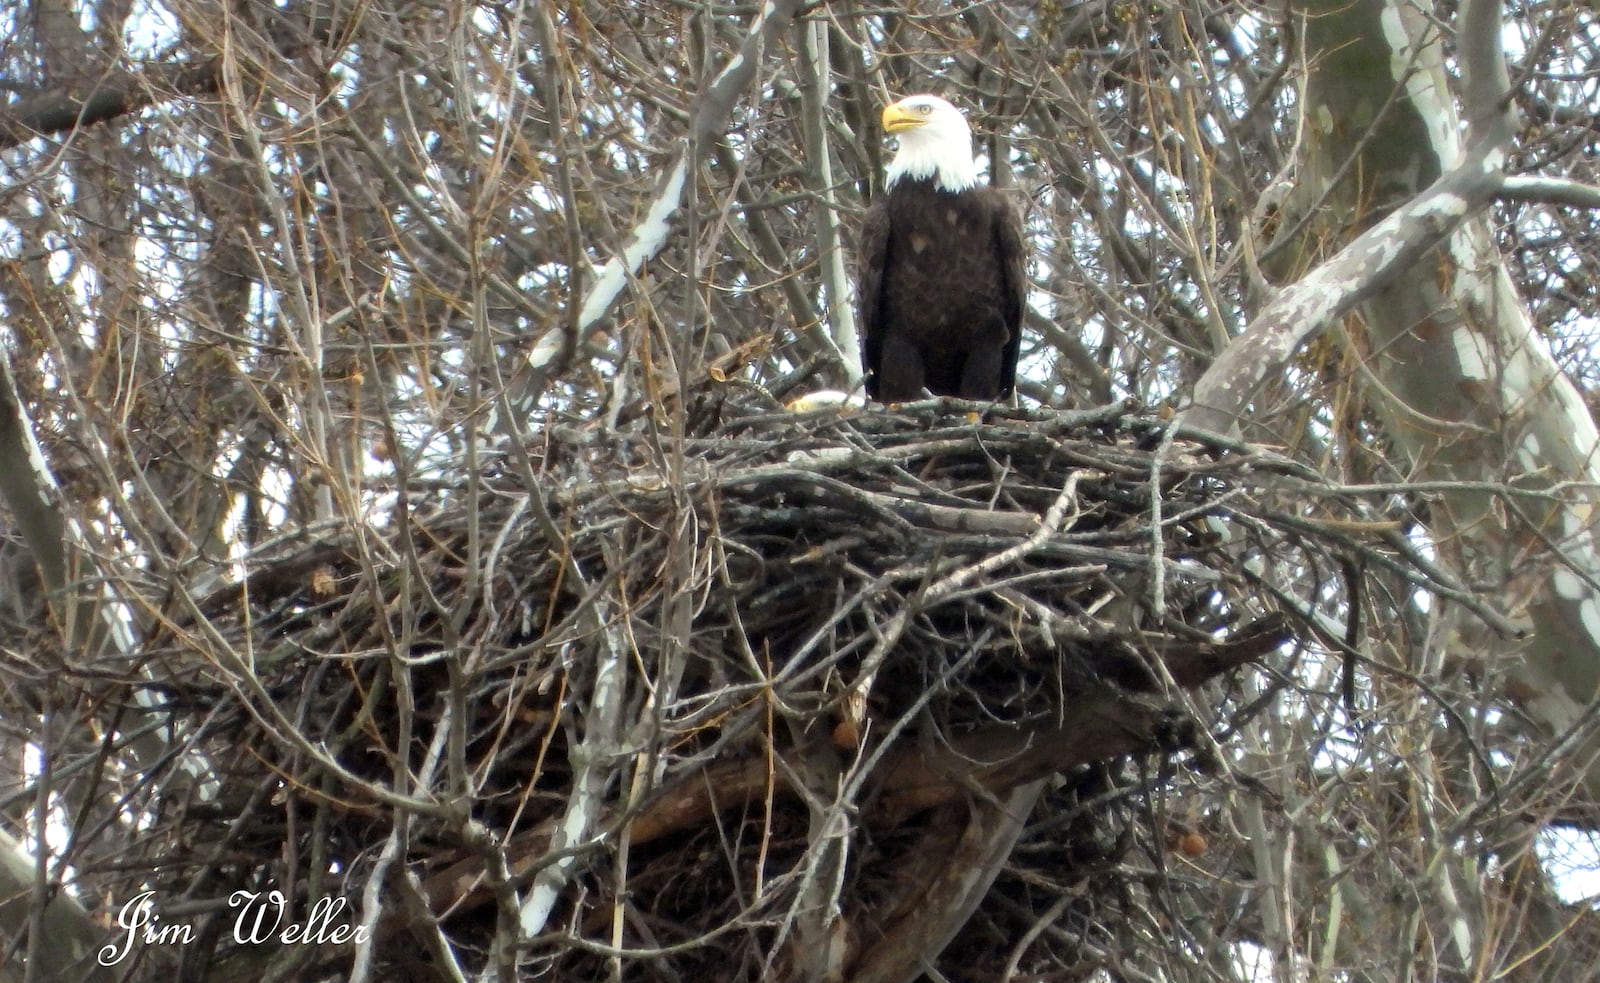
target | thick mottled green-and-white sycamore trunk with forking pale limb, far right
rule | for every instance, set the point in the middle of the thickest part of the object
(1470, 390)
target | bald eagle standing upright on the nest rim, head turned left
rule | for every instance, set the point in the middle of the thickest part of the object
(943, 275)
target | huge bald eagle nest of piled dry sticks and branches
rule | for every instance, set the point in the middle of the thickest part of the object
(783, 697)
